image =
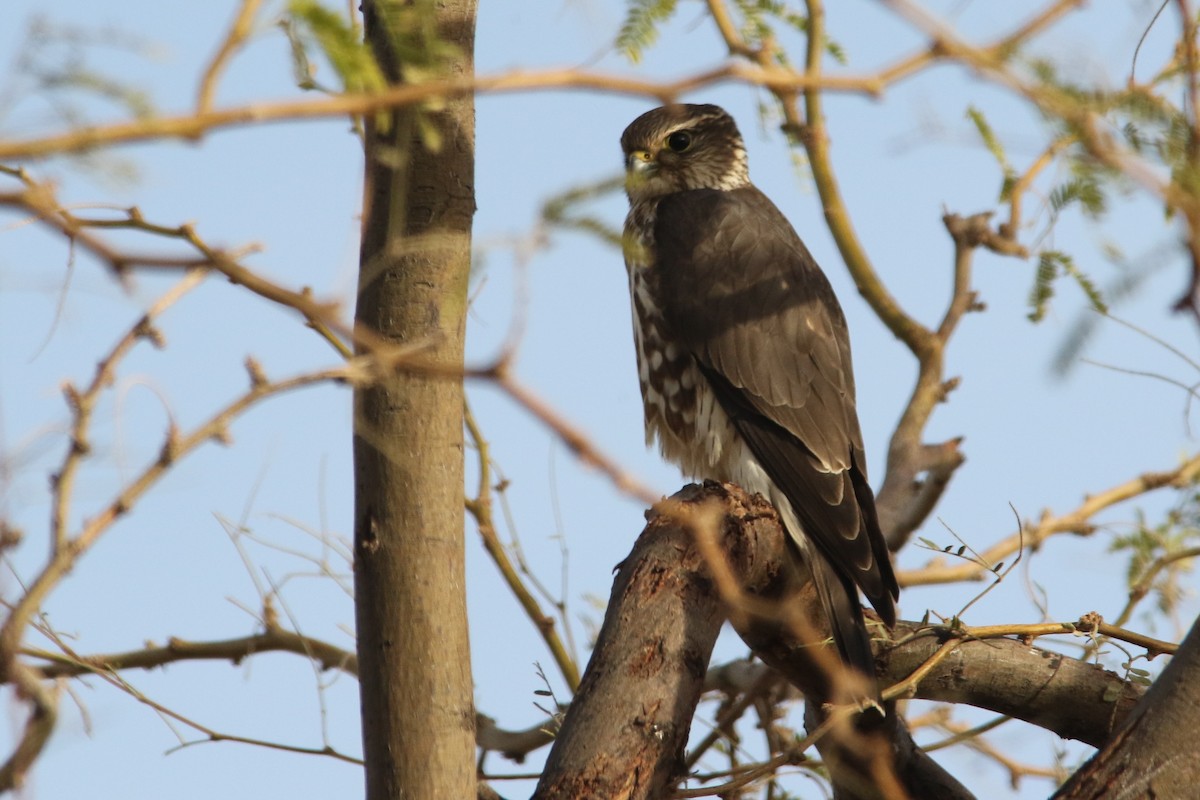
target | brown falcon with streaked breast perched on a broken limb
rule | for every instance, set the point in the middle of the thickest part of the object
(745, 358)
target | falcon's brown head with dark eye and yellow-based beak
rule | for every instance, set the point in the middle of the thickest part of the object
(680, 148)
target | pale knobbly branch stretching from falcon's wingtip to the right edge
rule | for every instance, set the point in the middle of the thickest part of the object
(1078, 522)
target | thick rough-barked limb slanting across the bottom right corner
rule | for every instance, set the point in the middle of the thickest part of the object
(1156, 751)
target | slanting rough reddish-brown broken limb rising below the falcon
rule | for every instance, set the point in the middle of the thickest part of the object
(626, 731)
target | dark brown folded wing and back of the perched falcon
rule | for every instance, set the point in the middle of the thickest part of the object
(745, 296)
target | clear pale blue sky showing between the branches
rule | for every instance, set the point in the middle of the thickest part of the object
(1034, 440)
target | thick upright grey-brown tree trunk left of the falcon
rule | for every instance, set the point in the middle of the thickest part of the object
(415, 660)
